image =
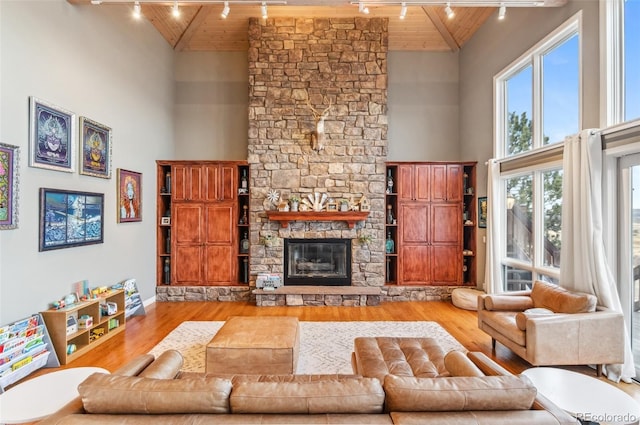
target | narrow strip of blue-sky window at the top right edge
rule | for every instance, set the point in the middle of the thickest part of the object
(631, 58)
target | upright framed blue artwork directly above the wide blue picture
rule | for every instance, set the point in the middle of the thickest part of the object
(51, 136)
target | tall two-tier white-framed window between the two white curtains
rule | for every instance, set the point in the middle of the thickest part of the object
(538, 105)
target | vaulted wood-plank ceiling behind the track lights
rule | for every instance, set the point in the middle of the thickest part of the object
(200, 26)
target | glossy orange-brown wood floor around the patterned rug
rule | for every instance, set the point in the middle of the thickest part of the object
(144, 332)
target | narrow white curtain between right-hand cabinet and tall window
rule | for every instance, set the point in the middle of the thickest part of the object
(493, 273)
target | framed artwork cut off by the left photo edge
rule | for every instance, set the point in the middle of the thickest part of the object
(9, 160)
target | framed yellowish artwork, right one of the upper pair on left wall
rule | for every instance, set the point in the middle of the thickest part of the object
(95, 149)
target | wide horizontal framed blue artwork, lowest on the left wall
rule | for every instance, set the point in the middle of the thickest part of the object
(70, 218)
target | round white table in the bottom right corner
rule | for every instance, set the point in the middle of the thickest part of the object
(585, 397)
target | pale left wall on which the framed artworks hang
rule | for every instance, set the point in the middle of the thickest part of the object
(99, 63)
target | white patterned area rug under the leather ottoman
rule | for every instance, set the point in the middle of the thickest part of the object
(325, 347)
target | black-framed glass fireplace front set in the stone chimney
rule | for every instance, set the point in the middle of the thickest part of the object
(317, 262)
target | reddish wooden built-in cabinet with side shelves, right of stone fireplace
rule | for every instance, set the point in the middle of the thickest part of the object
(433, 245)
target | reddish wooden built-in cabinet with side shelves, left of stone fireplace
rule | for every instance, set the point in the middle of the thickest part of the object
(200, 242)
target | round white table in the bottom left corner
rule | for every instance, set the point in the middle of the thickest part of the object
(41, 396)
